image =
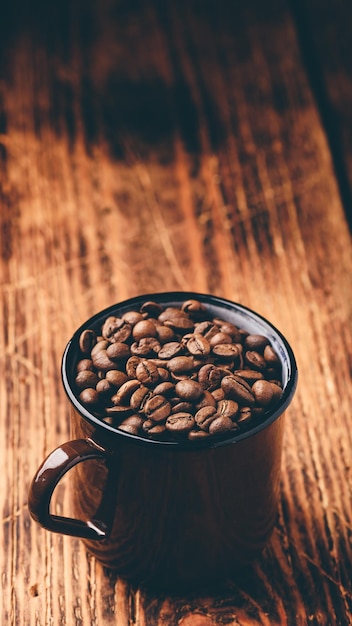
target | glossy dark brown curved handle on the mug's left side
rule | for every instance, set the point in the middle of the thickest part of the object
(53, 468)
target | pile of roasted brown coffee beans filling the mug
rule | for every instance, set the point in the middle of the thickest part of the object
(176, 372)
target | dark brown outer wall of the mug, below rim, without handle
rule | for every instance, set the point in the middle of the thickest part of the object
(180, 517)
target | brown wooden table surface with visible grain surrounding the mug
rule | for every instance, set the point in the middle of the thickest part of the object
(191, 145)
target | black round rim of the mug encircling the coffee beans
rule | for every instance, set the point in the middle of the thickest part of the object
(168, 298)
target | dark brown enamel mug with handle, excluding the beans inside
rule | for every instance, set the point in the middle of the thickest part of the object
(169, 514)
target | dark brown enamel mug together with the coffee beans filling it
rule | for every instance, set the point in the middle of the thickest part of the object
(178, 402)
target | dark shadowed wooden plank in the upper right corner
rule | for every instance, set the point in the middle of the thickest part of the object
(325, 40)
